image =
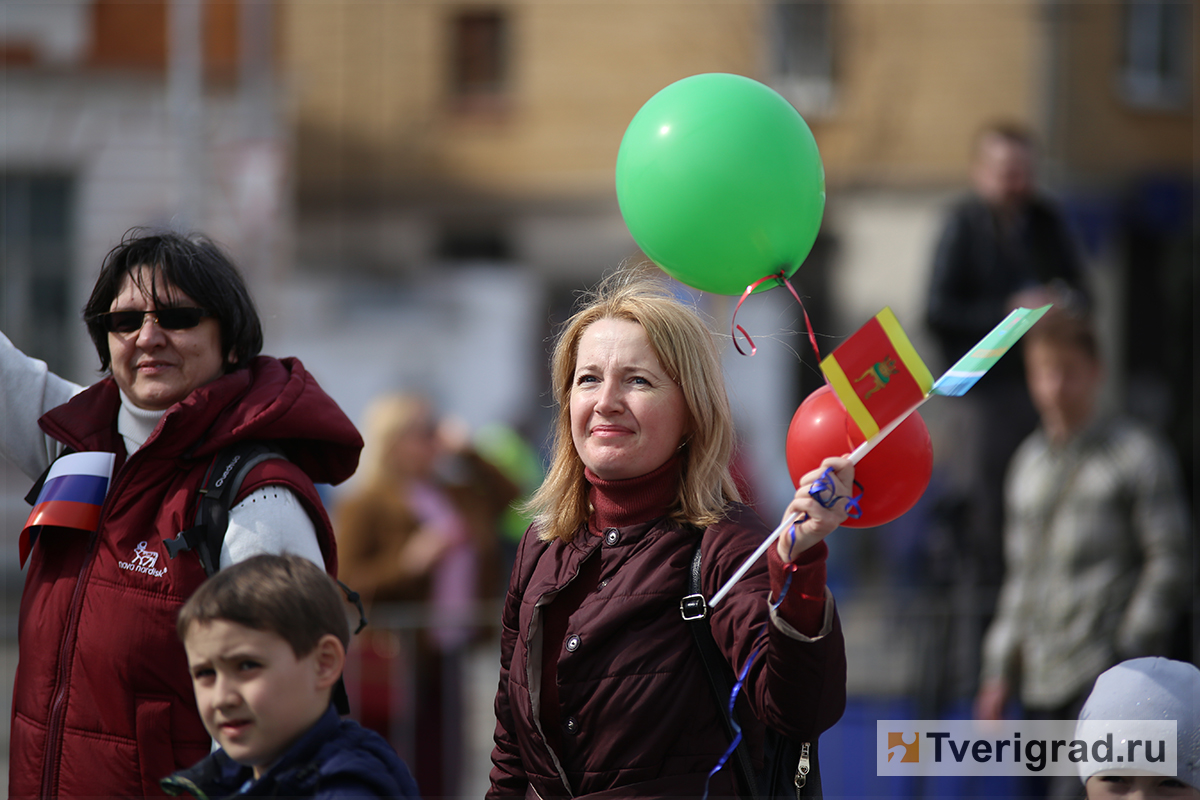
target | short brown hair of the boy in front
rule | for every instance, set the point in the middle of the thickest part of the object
(287, 596)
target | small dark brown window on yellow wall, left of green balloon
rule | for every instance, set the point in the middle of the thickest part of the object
(479, 69)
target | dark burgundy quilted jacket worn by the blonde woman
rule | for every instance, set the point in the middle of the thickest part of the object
(638, 714)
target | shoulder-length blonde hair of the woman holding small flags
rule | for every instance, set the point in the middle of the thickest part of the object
(686, 350)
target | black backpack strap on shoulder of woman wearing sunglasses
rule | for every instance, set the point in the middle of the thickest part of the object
(221, 484)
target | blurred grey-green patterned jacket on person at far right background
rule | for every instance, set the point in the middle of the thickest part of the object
(1096, 557)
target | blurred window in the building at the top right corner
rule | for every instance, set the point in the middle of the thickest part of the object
(1157, 52)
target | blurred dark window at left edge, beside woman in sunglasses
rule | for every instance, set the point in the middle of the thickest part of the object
(35, 266)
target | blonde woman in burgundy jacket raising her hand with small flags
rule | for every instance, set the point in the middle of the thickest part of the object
(603, 691)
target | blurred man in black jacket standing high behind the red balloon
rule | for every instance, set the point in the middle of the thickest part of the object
(1003, 246)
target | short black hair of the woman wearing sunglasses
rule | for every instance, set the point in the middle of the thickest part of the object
(196, 267)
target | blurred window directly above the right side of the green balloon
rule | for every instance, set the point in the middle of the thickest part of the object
(802, 55)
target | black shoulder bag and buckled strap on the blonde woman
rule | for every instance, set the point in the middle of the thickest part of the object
(778, 778)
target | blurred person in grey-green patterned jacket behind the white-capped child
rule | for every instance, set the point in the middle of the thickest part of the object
(1096, 540)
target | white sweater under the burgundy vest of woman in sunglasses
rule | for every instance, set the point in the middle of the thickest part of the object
(271, 520)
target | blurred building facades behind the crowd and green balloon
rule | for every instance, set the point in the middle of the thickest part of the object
(417, 190)
